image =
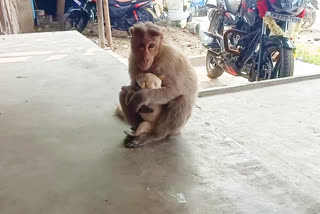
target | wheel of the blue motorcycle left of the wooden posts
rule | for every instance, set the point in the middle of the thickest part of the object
(74, 21)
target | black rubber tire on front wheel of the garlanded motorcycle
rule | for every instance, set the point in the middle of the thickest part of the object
(286, 61)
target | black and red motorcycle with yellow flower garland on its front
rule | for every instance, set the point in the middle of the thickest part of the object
(253, 47)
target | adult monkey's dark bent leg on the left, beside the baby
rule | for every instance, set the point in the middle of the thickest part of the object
(129, 111)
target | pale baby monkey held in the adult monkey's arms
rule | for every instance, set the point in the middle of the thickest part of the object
(151, 81)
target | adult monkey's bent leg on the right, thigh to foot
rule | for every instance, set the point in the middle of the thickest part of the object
(172, 119)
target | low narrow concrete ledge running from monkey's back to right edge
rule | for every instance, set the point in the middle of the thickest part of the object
(255, 85)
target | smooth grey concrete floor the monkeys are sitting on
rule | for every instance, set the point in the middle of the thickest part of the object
(60, 145)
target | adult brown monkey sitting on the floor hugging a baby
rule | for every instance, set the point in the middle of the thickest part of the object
(150, 53)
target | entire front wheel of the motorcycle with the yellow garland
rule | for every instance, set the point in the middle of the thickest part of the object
(278, 62)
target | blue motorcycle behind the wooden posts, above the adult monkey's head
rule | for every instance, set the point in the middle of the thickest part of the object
(123, 15)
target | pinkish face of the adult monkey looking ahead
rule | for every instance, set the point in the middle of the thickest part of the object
(145, 48)
